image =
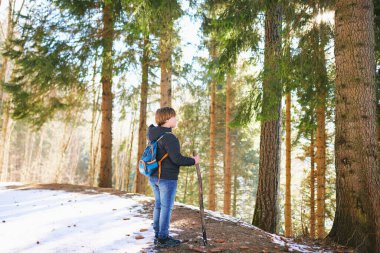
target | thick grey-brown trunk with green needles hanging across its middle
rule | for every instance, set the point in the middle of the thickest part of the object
(266, 214)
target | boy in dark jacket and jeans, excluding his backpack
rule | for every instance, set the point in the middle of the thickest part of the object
(164, 188)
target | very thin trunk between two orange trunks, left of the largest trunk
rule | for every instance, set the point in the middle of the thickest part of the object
(312, 189)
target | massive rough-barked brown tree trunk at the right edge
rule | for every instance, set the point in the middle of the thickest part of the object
(357, 217)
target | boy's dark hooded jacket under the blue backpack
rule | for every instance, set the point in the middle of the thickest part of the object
(168, 144)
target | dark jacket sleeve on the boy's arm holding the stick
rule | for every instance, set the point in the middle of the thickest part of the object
(172, 147)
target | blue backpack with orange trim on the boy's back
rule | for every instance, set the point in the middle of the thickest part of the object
(148, 163)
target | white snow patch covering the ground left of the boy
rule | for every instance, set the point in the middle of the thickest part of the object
(59, 221)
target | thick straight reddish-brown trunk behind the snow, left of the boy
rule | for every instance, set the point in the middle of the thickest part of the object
(105, 177)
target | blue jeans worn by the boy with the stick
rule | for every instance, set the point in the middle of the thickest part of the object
(164, 195)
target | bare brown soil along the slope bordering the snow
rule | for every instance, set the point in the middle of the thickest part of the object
(223, 235)
